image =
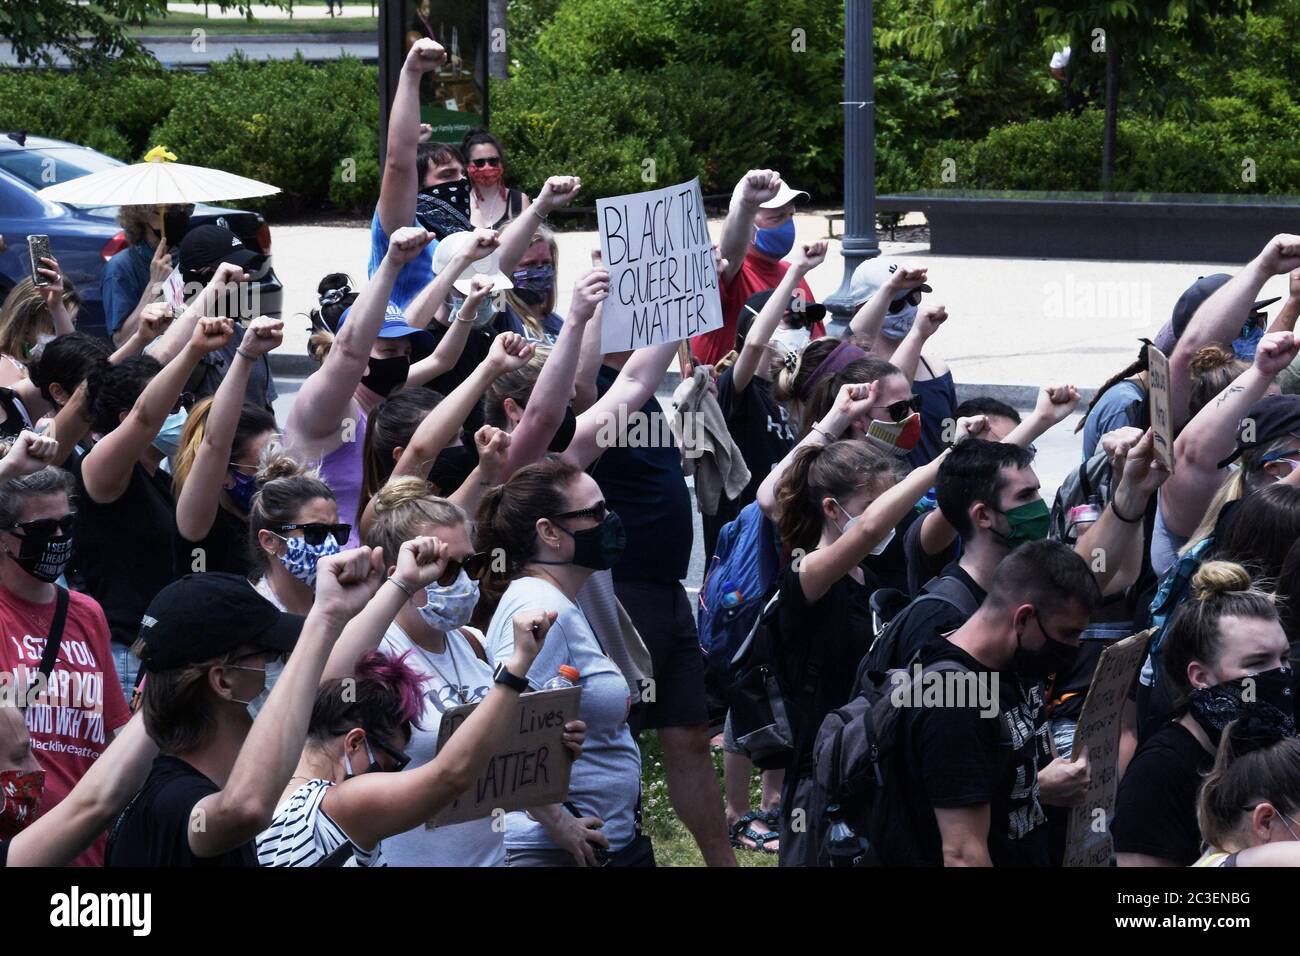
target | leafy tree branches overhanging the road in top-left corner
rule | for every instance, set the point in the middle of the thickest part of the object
(42, 31)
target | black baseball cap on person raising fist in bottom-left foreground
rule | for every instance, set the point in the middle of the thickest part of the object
(202, 617)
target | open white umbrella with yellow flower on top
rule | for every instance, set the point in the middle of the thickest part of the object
(158, 181)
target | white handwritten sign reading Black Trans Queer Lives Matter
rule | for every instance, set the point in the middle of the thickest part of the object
(664, 282)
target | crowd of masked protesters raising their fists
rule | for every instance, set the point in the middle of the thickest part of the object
(232, 641)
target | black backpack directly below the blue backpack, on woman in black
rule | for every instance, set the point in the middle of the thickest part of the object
(760, 712)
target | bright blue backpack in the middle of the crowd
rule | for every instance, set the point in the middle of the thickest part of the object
(738, 586)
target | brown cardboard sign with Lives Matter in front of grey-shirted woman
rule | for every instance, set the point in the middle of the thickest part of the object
(531, 769)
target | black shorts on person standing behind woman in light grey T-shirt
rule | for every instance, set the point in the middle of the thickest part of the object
(664, 618)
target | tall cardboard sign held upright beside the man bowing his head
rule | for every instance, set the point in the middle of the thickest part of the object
(1089, 842)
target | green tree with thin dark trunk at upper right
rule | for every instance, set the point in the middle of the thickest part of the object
(1104, 37)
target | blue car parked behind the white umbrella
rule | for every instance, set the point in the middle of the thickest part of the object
(85, 239)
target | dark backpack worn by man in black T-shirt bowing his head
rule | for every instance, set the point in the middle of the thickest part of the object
(853, 755)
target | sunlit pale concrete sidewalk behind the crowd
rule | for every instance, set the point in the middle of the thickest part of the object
(1015, 322)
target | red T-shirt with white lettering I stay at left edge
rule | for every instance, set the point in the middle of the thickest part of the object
(72, 723)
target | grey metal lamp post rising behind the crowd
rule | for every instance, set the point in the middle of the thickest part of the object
(860, 154)
